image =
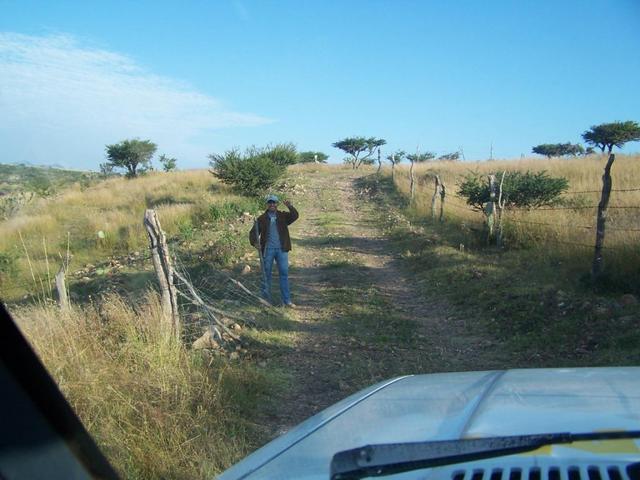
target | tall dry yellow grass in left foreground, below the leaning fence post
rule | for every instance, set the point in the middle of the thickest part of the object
(155, 409)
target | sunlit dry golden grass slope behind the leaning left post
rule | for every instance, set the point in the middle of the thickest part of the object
(95, 223)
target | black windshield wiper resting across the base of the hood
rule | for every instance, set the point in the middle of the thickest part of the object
(388, 459)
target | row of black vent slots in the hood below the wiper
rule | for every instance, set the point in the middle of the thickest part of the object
(581, 472)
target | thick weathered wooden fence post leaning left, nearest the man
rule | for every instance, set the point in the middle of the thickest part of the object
(164, 270)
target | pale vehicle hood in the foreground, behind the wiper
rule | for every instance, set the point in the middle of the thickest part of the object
(466, 405)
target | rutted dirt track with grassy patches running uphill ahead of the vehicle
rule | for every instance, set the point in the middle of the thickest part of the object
(359, 318)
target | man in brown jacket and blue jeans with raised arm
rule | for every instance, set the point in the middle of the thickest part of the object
(270, 233)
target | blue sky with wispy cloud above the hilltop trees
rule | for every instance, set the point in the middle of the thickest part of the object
(201, 77)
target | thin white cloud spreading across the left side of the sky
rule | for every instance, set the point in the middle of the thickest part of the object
(57, 96)
